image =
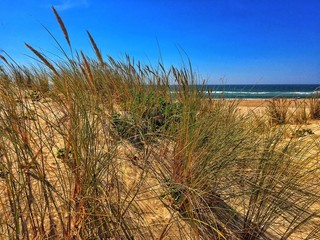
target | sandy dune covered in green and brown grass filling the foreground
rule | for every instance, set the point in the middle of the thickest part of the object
(106, 149)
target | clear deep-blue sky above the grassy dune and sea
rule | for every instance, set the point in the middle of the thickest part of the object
(229, 41)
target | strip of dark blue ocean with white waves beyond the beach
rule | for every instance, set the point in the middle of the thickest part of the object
(264, 91)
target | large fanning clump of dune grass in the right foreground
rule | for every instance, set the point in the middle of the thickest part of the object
(241, 184)
